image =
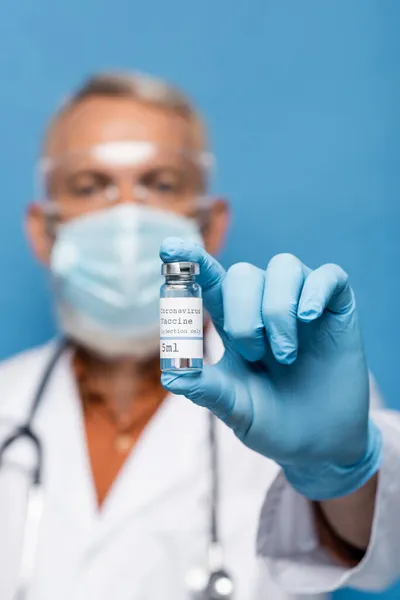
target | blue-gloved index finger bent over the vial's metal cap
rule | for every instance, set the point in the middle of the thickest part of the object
(211, 275)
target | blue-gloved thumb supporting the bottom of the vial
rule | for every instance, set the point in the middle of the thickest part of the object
(214, 389)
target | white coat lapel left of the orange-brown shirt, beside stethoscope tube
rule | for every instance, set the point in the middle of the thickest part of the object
(67, 473)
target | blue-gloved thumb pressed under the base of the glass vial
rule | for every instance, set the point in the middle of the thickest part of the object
(209, 388)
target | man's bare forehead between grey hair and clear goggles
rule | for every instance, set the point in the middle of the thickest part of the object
(102, 119)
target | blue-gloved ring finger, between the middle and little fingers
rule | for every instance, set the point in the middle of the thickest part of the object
(284, 280)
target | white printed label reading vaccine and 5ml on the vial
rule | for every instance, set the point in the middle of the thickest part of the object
(181, 328)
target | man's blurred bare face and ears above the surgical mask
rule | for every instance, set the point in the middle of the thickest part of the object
(168, 178)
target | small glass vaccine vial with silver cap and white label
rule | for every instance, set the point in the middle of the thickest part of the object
(181, 318)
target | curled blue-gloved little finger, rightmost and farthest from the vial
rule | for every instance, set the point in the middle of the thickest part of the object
(326, 288)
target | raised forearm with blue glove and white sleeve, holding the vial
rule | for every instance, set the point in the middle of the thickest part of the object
(293, 386)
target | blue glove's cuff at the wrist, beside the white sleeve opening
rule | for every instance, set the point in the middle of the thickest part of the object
(327, 481)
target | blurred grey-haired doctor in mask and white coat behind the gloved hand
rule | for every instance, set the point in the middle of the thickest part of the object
(130, 496)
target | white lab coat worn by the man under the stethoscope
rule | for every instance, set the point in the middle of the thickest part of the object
(153, 527)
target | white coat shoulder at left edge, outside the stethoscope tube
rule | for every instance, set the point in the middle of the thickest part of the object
(19, 376)
